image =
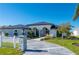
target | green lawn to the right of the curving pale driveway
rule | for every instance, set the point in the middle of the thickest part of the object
(66, 43)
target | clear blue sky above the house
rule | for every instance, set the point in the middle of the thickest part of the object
(12, 14)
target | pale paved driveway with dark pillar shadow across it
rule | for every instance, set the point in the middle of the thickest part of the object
(45, 48)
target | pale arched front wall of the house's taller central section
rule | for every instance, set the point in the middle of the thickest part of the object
(52, 32)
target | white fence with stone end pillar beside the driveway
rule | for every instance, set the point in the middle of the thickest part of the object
(13, 42)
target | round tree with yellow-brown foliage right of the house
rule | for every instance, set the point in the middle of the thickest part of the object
(64, 29)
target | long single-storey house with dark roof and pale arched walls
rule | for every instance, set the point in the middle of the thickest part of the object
(42, 28)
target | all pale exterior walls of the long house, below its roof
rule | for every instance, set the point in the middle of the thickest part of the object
(52, 32)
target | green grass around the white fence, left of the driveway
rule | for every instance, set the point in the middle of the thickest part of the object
(7, 49)
